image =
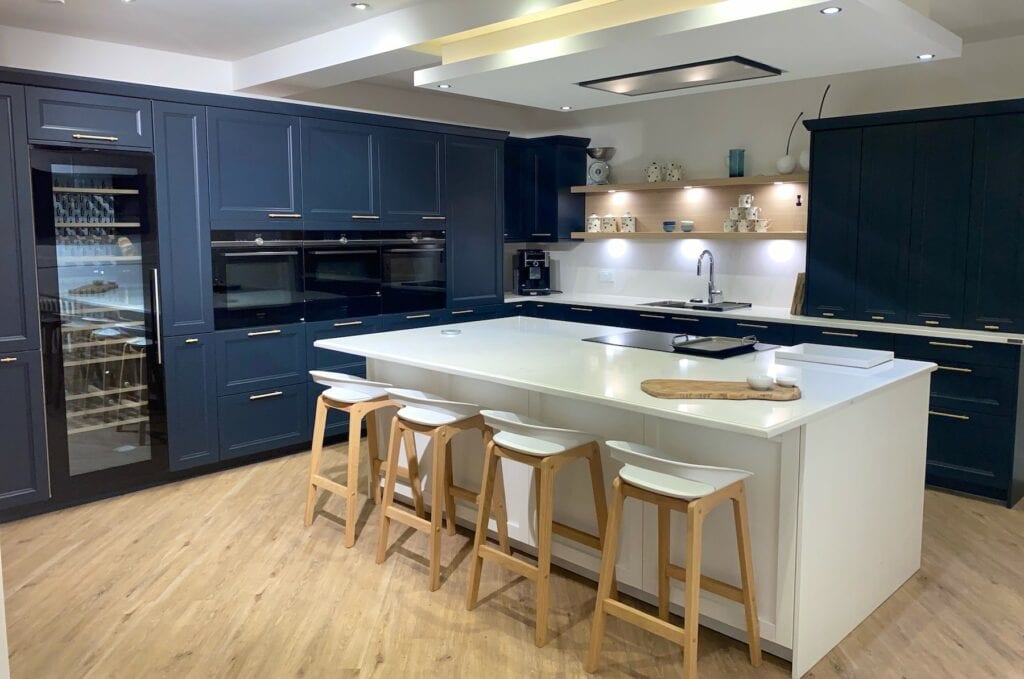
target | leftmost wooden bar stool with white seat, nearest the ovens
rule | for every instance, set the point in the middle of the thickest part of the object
(361, 399)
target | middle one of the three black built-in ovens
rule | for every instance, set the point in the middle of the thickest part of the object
(343, 275)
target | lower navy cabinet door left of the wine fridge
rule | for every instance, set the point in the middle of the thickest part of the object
(23, 457)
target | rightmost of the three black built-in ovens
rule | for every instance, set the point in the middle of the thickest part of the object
(413, 272)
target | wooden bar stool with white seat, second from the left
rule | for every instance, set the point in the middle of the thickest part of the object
(442, 420)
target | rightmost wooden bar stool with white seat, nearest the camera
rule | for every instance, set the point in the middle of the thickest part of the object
(695, 490)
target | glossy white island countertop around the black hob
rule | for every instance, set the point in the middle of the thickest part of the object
(549, 357)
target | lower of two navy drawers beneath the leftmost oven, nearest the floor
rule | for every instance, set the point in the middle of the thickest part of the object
(263, 420)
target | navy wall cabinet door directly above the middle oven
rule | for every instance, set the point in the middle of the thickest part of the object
(339, 175)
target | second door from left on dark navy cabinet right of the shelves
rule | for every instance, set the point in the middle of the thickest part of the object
(884, 229)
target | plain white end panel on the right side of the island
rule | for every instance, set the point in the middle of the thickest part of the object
(861, 516)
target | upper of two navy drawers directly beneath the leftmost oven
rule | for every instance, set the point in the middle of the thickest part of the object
(261, 358)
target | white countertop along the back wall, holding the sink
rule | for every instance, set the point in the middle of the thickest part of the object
(769, 314)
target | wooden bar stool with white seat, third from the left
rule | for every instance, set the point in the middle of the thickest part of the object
(547, 450)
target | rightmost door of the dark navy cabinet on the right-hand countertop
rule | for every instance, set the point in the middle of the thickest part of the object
(996, 242)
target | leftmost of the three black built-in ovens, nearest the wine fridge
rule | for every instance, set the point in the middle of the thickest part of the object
(258, 278)
